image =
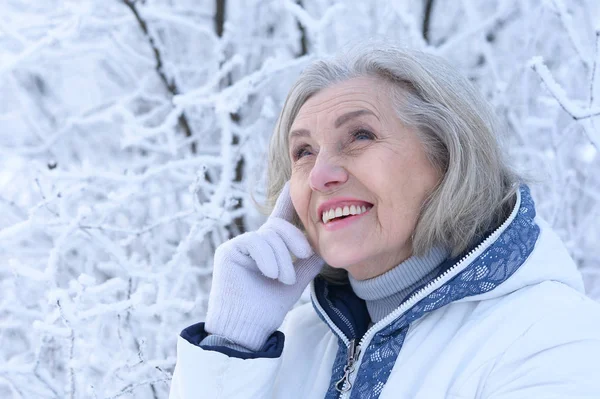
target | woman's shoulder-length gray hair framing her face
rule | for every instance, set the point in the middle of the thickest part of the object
(455, 124)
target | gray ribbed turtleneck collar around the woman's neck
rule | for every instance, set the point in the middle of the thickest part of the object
(386, 292)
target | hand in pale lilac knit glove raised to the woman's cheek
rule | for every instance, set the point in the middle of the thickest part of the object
(255, 283)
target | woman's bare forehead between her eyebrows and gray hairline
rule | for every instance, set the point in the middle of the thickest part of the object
(358, 93)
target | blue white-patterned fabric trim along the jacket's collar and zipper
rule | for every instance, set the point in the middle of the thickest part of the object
(490, 269)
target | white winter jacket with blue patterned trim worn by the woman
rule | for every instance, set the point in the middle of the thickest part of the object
(507, 320)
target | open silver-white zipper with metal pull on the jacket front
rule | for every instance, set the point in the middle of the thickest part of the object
(356, 358)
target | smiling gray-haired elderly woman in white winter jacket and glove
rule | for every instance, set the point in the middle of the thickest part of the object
(431, 276)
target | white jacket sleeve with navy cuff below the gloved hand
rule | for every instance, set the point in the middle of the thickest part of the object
(222, 372)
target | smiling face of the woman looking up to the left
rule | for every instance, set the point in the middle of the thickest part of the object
(351, 153)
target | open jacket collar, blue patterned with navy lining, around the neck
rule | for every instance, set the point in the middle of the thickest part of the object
(480, 269)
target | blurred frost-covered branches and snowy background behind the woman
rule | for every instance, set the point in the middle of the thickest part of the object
(132, 132)
